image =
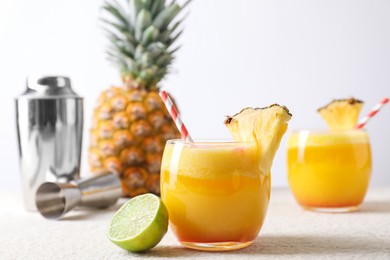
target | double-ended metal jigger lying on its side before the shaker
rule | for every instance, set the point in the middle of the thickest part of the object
(53, 200)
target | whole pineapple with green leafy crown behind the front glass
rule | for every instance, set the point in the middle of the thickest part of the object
(130, 122)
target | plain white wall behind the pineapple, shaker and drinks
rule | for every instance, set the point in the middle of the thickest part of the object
(235, 54)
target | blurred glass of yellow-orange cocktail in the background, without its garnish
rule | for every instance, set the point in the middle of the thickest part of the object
(329, 170)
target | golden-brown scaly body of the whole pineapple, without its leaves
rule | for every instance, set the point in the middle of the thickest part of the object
(130, 127)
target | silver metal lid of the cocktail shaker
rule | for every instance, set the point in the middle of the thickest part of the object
(48, 87)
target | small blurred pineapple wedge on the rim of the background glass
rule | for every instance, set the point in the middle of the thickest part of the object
(341, 114)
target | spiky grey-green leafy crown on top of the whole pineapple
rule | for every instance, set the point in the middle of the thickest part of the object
(142, 34)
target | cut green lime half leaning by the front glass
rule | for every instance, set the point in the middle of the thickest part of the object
(139, 224)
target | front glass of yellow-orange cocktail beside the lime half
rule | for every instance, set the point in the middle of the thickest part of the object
(216, 196)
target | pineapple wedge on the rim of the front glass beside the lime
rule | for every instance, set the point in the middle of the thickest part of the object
(266, 126)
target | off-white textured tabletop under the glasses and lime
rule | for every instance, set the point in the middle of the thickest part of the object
(288, 233)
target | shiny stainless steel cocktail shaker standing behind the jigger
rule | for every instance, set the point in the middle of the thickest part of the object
(50, 124)
